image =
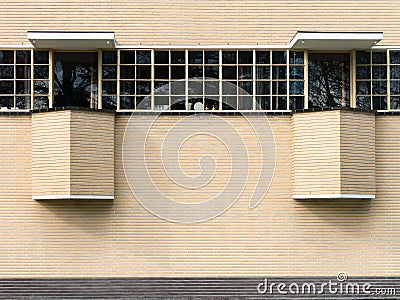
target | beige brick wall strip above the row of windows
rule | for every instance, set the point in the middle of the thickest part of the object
(206, 22)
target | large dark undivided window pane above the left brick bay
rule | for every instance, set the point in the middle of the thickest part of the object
(75, 79)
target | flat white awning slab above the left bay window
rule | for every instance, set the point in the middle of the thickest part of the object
(71, 40)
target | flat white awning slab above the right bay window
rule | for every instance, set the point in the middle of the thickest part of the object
(335, 40)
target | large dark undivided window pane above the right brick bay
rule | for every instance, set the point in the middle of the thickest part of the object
(329, 79)
